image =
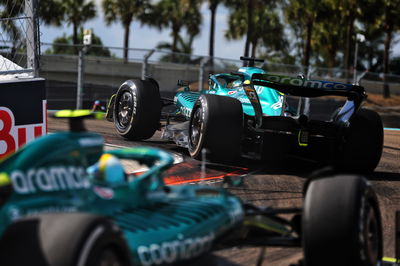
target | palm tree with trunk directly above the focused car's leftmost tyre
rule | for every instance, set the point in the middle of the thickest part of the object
(125, 11)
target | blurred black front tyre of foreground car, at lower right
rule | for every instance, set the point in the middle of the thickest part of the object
(341, 223)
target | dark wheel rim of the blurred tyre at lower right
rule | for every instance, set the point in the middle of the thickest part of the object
(372, 235)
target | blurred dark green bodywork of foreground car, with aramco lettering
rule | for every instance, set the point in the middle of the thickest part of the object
(160, 224)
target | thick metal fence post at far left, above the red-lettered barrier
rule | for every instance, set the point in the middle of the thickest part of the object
(32, 36)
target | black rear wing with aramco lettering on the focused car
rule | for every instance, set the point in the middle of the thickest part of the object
(308, 87)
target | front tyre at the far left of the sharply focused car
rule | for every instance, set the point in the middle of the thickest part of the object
(137, 109)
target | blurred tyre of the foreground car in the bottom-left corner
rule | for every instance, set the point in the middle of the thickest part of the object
(69, 239)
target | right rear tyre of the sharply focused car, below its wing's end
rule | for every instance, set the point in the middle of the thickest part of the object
(361, 149)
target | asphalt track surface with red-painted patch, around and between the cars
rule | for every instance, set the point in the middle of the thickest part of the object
(266, 186)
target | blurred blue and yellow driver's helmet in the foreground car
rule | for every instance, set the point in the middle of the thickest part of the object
(108, 169)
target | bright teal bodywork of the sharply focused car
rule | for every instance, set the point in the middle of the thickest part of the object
(231, 85)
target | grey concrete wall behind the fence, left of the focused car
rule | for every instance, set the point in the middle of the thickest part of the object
(103, 76)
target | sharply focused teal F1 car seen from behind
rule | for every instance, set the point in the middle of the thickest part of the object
(245, 113)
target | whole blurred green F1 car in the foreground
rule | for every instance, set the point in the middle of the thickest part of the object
(65, 201)
